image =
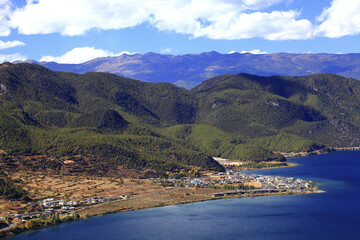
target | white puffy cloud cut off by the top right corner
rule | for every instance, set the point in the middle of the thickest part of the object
(342, 18)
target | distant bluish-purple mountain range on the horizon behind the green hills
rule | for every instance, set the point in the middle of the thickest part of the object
(190, 70)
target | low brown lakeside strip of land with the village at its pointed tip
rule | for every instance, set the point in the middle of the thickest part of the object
(163, 192)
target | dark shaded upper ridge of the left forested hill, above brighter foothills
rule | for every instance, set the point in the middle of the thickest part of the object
(57, 98)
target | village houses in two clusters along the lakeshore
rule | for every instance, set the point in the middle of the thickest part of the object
(233, 183)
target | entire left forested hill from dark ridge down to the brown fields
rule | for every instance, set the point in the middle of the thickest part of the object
(103, 117)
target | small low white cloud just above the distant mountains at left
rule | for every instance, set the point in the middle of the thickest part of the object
(80, 55)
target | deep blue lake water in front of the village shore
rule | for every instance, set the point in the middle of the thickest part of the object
(331, 215)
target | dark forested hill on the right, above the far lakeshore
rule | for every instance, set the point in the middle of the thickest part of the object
(323, 107)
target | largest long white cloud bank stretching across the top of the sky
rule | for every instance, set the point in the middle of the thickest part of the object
(215, 19)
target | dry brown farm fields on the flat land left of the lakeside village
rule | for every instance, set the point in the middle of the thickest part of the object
(144, 194)
